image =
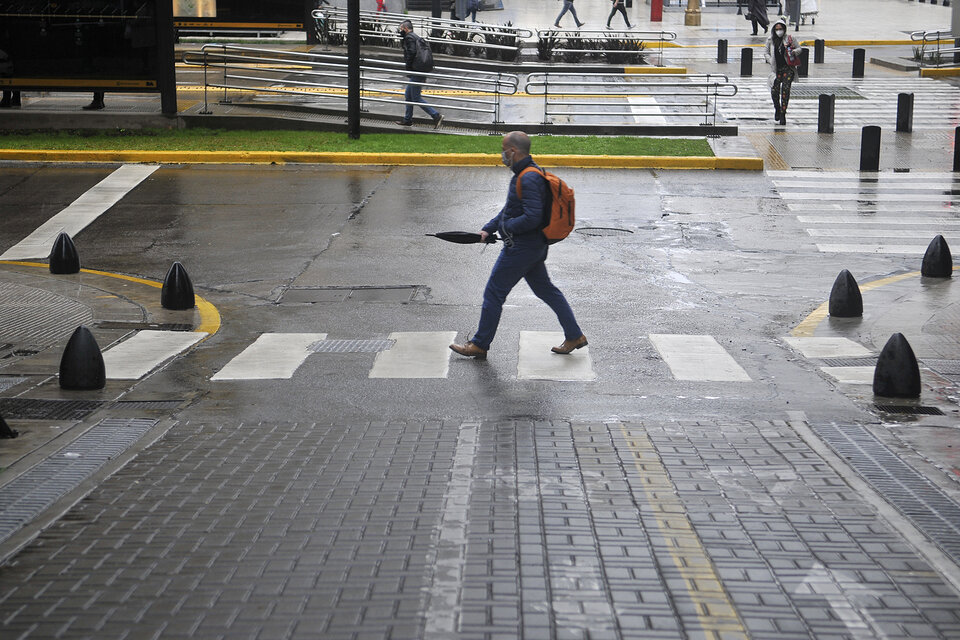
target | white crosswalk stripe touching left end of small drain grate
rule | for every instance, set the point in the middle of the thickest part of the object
(272, 356)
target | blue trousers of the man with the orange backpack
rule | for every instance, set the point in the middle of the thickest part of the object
(514, 263)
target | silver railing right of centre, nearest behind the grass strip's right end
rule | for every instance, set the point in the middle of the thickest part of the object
(607, 96)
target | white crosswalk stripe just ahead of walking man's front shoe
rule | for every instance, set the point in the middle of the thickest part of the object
(415, 354)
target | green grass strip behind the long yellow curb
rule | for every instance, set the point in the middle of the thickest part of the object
(236, 140)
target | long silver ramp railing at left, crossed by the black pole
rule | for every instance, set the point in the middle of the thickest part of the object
(324, 77)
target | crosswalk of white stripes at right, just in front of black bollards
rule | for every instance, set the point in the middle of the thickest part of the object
(888, 213)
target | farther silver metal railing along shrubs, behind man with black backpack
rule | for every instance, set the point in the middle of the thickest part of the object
(379, 28)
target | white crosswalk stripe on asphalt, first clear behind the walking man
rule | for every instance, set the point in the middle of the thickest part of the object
(700, 358)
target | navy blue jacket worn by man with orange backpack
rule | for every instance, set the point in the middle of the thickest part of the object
(522, 219)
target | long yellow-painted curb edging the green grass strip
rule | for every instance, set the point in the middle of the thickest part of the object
(398, 159)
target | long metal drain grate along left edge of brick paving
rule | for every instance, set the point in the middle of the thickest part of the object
(29, 495)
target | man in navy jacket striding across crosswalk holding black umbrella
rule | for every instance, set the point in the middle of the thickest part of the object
(520, 224)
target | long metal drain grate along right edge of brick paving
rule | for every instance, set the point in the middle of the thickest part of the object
(922, 502)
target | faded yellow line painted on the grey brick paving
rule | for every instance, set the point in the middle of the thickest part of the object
(714, 609)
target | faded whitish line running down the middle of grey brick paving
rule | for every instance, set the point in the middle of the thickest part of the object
(444, 609)
